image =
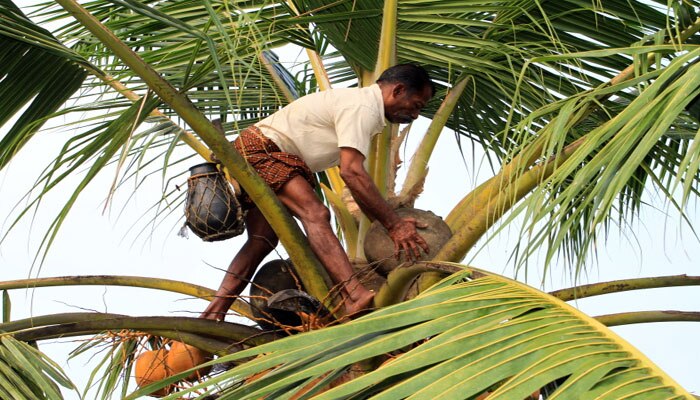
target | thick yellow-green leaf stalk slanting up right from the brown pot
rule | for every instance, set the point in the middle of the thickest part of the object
(484, 215)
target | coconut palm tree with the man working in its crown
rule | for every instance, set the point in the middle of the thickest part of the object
(580, 106)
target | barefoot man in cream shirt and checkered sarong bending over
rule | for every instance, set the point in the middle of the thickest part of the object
(313, 133)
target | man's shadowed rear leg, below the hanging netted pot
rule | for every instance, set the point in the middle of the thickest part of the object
(261, 241)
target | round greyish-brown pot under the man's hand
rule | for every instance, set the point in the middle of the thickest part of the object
(379, 248)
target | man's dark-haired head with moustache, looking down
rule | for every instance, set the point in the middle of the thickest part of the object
(406, 89)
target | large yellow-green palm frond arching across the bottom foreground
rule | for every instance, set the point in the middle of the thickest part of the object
(459, 339)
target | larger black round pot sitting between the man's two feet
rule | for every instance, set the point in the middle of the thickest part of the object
(271, 278)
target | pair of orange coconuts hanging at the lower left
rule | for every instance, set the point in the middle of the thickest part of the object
(154, 365)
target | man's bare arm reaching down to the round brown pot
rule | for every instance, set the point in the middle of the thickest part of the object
(401, 230)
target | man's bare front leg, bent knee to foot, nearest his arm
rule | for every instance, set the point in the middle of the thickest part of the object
(299, 197)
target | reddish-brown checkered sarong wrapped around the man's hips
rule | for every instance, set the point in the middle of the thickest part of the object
(273, 165)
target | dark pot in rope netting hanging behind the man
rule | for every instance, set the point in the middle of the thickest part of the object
(212, 211)
